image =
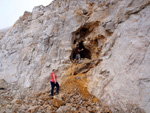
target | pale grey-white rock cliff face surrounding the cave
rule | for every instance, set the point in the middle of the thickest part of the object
(115, 34)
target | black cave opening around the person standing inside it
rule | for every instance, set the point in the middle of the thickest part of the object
(84, 54)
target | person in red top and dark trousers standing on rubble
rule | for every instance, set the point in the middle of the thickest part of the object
(54, 83)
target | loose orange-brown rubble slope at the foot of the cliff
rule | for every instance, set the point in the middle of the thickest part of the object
(73, 97)
